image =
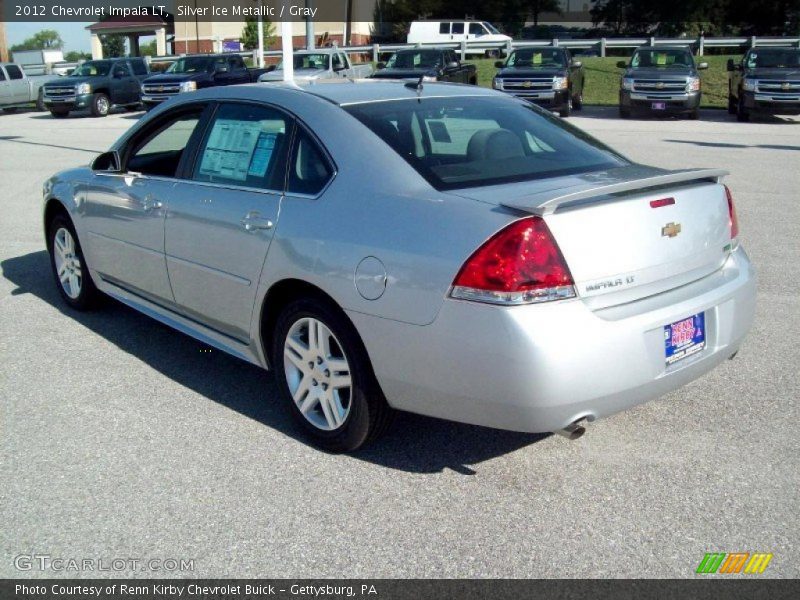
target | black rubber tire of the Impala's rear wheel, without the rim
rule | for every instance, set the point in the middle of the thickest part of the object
(357, 426)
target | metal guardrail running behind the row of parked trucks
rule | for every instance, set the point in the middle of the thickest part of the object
(600, 45)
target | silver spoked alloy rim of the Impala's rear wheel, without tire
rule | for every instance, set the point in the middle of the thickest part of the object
(317, 374)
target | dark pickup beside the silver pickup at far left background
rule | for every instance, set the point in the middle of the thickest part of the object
(97, 85)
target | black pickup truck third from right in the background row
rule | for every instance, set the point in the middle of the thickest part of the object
(548, 77)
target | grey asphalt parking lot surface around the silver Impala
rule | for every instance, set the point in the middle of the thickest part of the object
(124, 439)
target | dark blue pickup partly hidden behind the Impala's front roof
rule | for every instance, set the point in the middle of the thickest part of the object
(190, 73)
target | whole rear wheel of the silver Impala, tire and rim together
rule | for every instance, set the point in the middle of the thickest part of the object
(337, 418)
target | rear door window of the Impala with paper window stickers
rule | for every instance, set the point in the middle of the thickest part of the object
(246, 145)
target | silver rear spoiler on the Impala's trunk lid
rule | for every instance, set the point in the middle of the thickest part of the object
(544, 204)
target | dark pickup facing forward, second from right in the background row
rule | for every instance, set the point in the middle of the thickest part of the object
(661, 80)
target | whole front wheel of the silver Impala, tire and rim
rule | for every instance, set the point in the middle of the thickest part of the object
(68, 264)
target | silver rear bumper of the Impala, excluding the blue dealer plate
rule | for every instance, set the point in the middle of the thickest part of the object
(540, 367)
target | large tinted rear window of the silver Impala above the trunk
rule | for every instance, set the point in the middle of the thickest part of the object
(468, 142)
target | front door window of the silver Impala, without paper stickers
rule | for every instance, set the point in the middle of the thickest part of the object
(159, 152)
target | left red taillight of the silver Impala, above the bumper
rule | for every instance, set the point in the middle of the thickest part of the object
(520, 264)
